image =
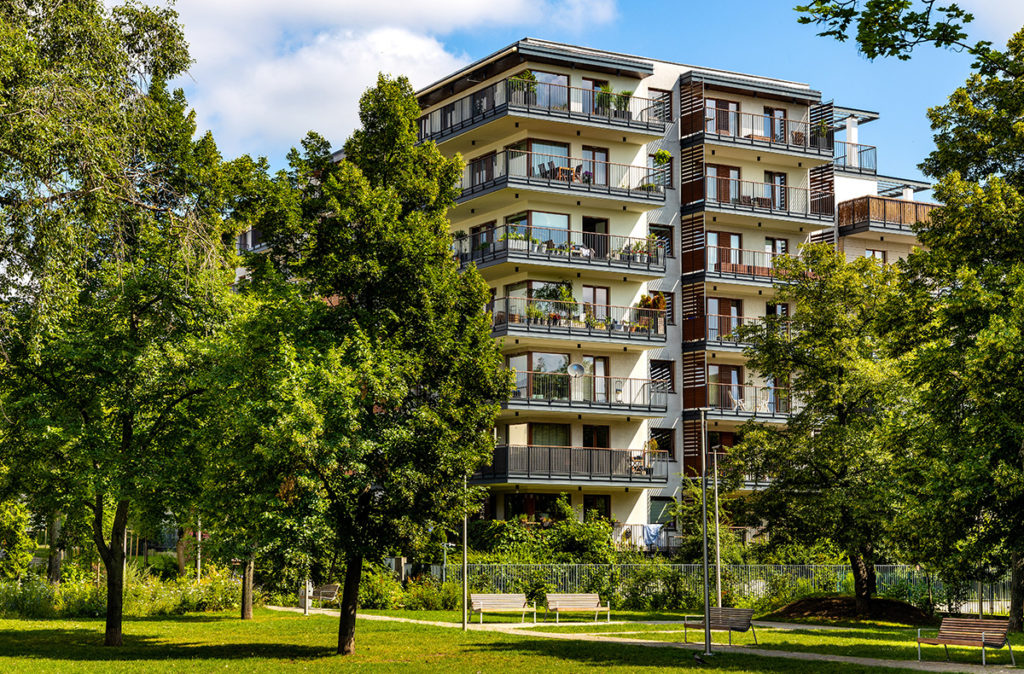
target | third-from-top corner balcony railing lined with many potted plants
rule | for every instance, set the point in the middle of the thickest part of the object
(554, 245)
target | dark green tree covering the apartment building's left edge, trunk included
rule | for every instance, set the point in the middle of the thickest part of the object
(400, 382)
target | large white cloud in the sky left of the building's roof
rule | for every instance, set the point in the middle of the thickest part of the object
(269, 71)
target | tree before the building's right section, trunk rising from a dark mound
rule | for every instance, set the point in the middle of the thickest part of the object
(829, 470)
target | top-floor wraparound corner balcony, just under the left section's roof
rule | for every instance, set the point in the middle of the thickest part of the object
(515, 96)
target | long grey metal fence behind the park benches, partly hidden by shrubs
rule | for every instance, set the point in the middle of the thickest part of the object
(745, 583)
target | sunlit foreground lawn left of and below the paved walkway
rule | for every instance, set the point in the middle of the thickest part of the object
(278, 642)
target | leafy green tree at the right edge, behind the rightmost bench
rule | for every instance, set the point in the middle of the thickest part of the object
(963, 329)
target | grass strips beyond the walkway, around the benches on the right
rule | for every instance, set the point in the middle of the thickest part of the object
(867, 641)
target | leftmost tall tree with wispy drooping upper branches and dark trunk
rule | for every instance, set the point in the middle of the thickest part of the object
(116, 263)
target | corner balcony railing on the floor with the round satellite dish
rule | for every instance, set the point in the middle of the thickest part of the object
(559, 389)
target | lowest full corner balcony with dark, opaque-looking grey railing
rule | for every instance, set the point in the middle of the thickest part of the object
(575, 465)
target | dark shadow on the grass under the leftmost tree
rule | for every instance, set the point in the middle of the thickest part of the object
(87, 645)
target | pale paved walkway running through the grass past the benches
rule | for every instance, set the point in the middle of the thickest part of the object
(519, 629)
